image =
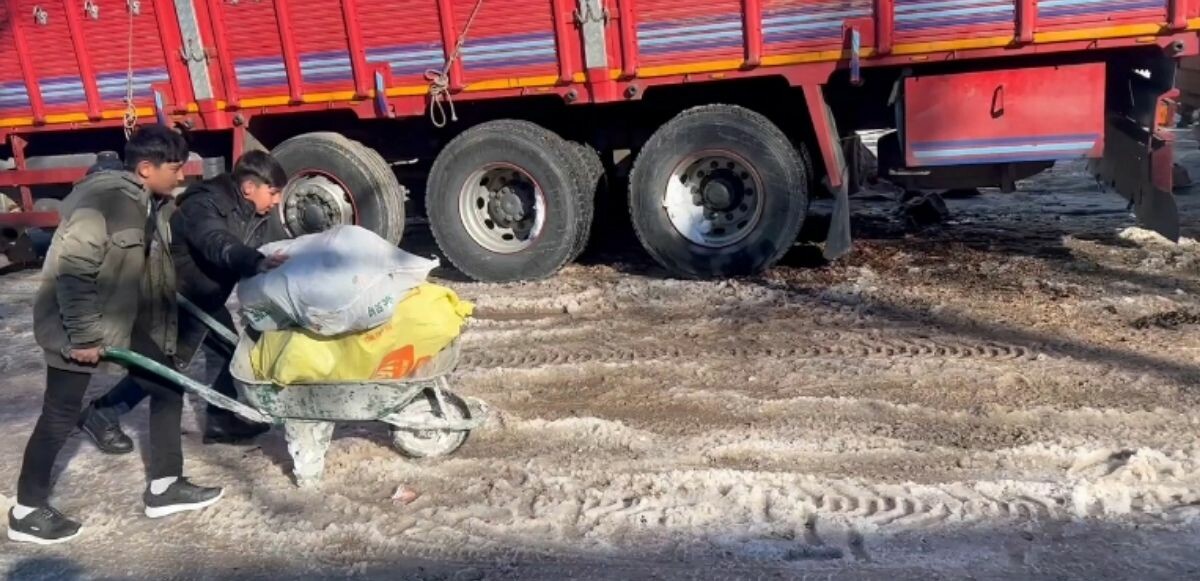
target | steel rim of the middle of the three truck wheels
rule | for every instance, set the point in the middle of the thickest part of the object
(502, 208)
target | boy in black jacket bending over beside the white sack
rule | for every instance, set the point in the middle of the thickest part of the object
(219, 225)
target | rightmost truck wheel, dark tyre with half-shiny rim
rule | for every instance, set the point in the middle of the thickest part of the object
(718, 191)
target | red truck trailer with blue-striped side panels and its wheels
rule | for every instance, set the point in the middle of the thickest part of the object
(512, 123)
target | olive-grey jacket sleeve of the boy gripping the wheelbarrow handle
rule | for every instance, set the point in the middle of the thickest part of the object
(83, 248)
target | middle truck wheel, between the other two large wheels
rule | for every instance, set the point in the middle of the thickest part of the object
(503, 202)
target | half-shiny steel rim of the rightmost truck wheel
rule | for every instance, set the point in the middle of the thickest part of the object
(715, 199)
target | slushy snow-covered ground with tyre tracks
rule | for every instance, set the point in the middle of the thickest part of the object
(1012, 396)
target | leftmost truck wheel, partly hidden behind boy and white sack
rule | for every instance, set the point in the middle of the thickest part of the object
(338, 182)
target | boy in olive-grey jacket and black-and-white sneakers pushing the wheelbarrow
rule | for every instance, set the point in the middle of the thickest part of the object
(109, 281)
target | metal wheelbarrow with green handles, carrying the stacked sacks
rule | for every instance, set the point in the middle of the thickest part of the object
(427, 420)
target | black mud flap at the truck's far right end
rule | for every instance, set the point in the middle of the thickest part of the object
(1139, 165)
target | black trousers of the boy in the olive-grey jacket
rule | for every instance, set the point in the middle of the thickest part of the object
(61, 414)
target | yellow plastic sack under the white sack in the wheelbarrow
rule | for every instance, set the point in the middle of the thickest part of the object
(425, 322)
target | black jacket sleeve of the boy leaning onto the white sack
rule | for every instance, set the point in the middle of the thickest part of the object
(205, 230)
